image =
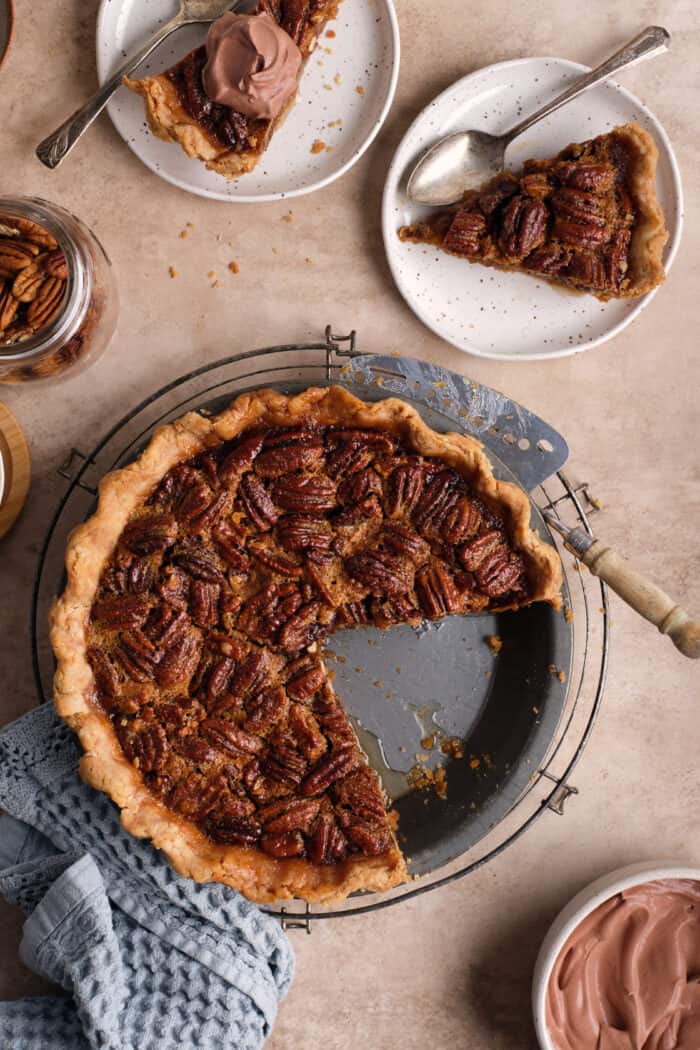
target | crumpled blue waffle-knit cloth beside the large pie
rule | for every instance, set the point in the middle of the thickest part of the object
(152, 960)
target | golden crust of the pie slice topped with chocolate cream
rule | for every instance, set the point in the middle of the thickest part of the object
(168, 117)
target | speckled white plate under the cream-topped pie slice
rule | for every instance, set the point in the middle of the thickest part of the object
(346, 94)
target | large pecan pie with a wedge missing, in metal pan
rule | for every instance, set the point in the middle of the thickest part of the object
(190, 635)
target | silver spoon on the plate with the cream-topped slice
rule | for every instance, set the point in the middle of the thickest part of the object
(54, 150)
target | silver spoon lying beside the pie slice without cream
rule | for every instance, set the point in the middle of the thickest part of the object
(464, 161)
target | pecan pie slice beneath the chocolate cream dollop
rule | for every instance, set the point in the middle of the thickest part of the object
(179, 110)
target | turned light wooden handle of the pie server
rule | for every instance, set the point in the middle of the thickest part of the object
(646, 598)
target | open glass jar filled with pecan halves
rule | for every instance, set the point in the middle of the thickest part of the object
(81, 281)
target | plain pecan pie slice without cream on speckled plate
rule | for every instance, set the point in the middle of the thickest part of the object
(588, 220)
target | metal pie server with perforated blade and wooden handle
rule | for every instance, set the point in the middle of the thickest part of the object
(534, 451)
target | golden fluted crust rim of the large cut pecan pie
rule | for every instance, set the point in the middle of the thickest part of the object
(262, 878)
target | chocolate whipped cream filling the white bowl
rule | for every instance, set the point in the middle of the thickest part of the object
(629, 976)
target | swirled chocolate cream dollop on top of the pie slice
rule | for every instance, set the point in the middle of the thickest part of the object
(252, 65)
